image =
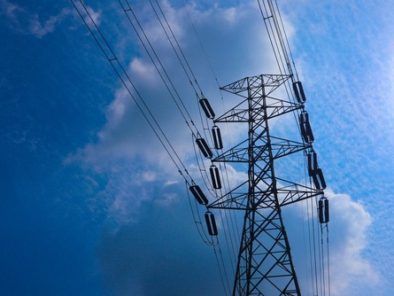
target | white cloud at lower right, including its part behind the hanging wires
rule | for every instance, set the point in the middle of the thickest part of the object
(349, 230)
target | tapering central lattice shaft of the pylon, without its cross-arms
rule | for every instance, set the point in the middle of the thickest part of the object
(264, 264)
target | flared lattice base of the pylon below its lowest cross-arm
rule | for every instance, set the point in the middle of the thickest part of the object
(264, 263)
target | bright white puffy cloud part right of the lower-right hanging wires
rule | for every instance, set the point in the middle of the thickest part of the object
(349, 227)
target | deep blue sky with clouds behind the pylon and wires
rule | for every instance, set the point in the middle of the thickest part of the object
(90, 204)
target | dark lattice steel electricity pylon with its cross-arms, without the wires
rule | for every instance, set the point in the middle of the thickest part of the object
(265, 265)
